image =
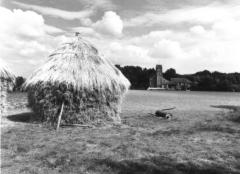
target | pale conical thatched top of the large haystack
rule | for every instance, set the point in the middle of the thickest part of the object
(78, 63)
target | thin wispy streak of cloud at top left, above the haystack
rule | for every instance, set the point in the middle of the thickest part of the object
(57, 13)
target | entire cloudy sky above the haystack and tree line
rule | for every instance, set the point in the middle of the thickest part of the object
(188, 35)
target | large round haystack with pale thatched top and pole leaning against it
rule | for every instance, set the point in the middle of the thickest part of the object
(76, 78)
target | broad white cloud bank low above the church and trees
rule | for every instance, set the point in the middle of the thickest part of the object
(191, 50)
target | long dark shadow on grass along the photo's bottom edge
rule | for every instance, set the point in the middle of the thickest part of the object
(157, 165)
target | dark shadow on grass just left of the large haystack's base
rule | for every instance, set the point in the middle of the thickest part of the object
(27, 117)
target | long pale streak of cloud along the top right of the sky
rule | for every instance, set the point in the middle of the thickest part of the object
(195, 15)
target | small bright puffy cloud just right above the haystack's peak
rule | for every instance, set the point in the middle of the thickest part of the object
(110, 24)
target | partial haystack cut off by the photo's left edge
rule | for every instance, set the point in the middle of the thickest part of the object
(6, 82)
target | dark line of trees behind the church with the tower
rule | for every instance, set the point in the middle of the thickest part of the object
(201, 81)
